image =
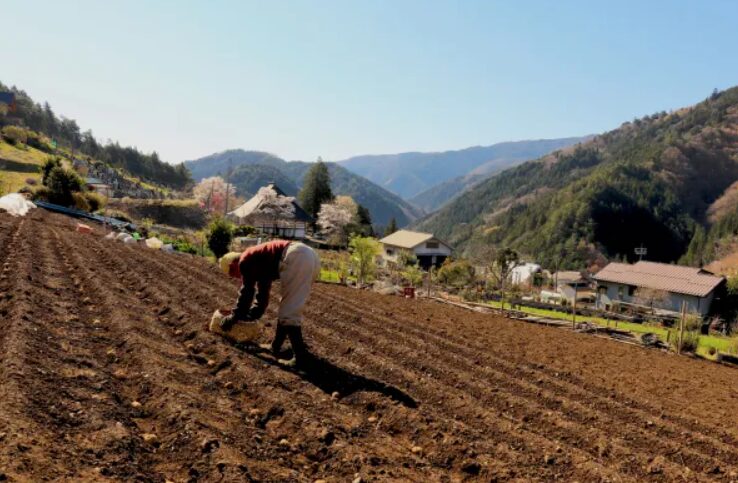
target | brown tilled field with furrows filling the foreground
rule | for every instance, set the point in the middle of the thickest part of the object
(106, 373)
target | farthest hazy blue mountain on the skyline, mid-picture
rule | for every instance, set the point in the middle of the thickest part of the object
(408, 174)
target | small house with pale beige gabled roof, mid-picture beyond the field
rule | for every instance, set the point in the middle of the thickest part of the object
(429, 250)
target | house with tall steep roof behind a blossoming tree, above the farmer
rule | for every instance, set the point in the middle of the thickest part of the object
(273, 213)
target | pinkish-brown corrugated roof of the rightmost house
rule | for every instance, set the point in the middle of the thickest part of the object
(661, 276)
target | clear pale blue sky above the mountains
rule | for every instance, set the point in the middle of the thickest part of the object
(304, 79)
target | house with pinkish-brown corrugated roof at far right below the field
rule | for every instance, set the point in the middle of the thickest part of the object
(656, 286)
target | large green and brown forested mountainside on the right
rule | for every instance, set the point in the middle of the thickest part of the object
(651, 181)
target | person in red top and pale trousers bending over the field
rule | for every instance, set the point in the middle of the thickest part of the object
(296, 266)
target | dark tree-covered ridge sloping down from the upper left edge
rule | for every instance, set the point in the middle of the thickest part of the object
(66, 133)
